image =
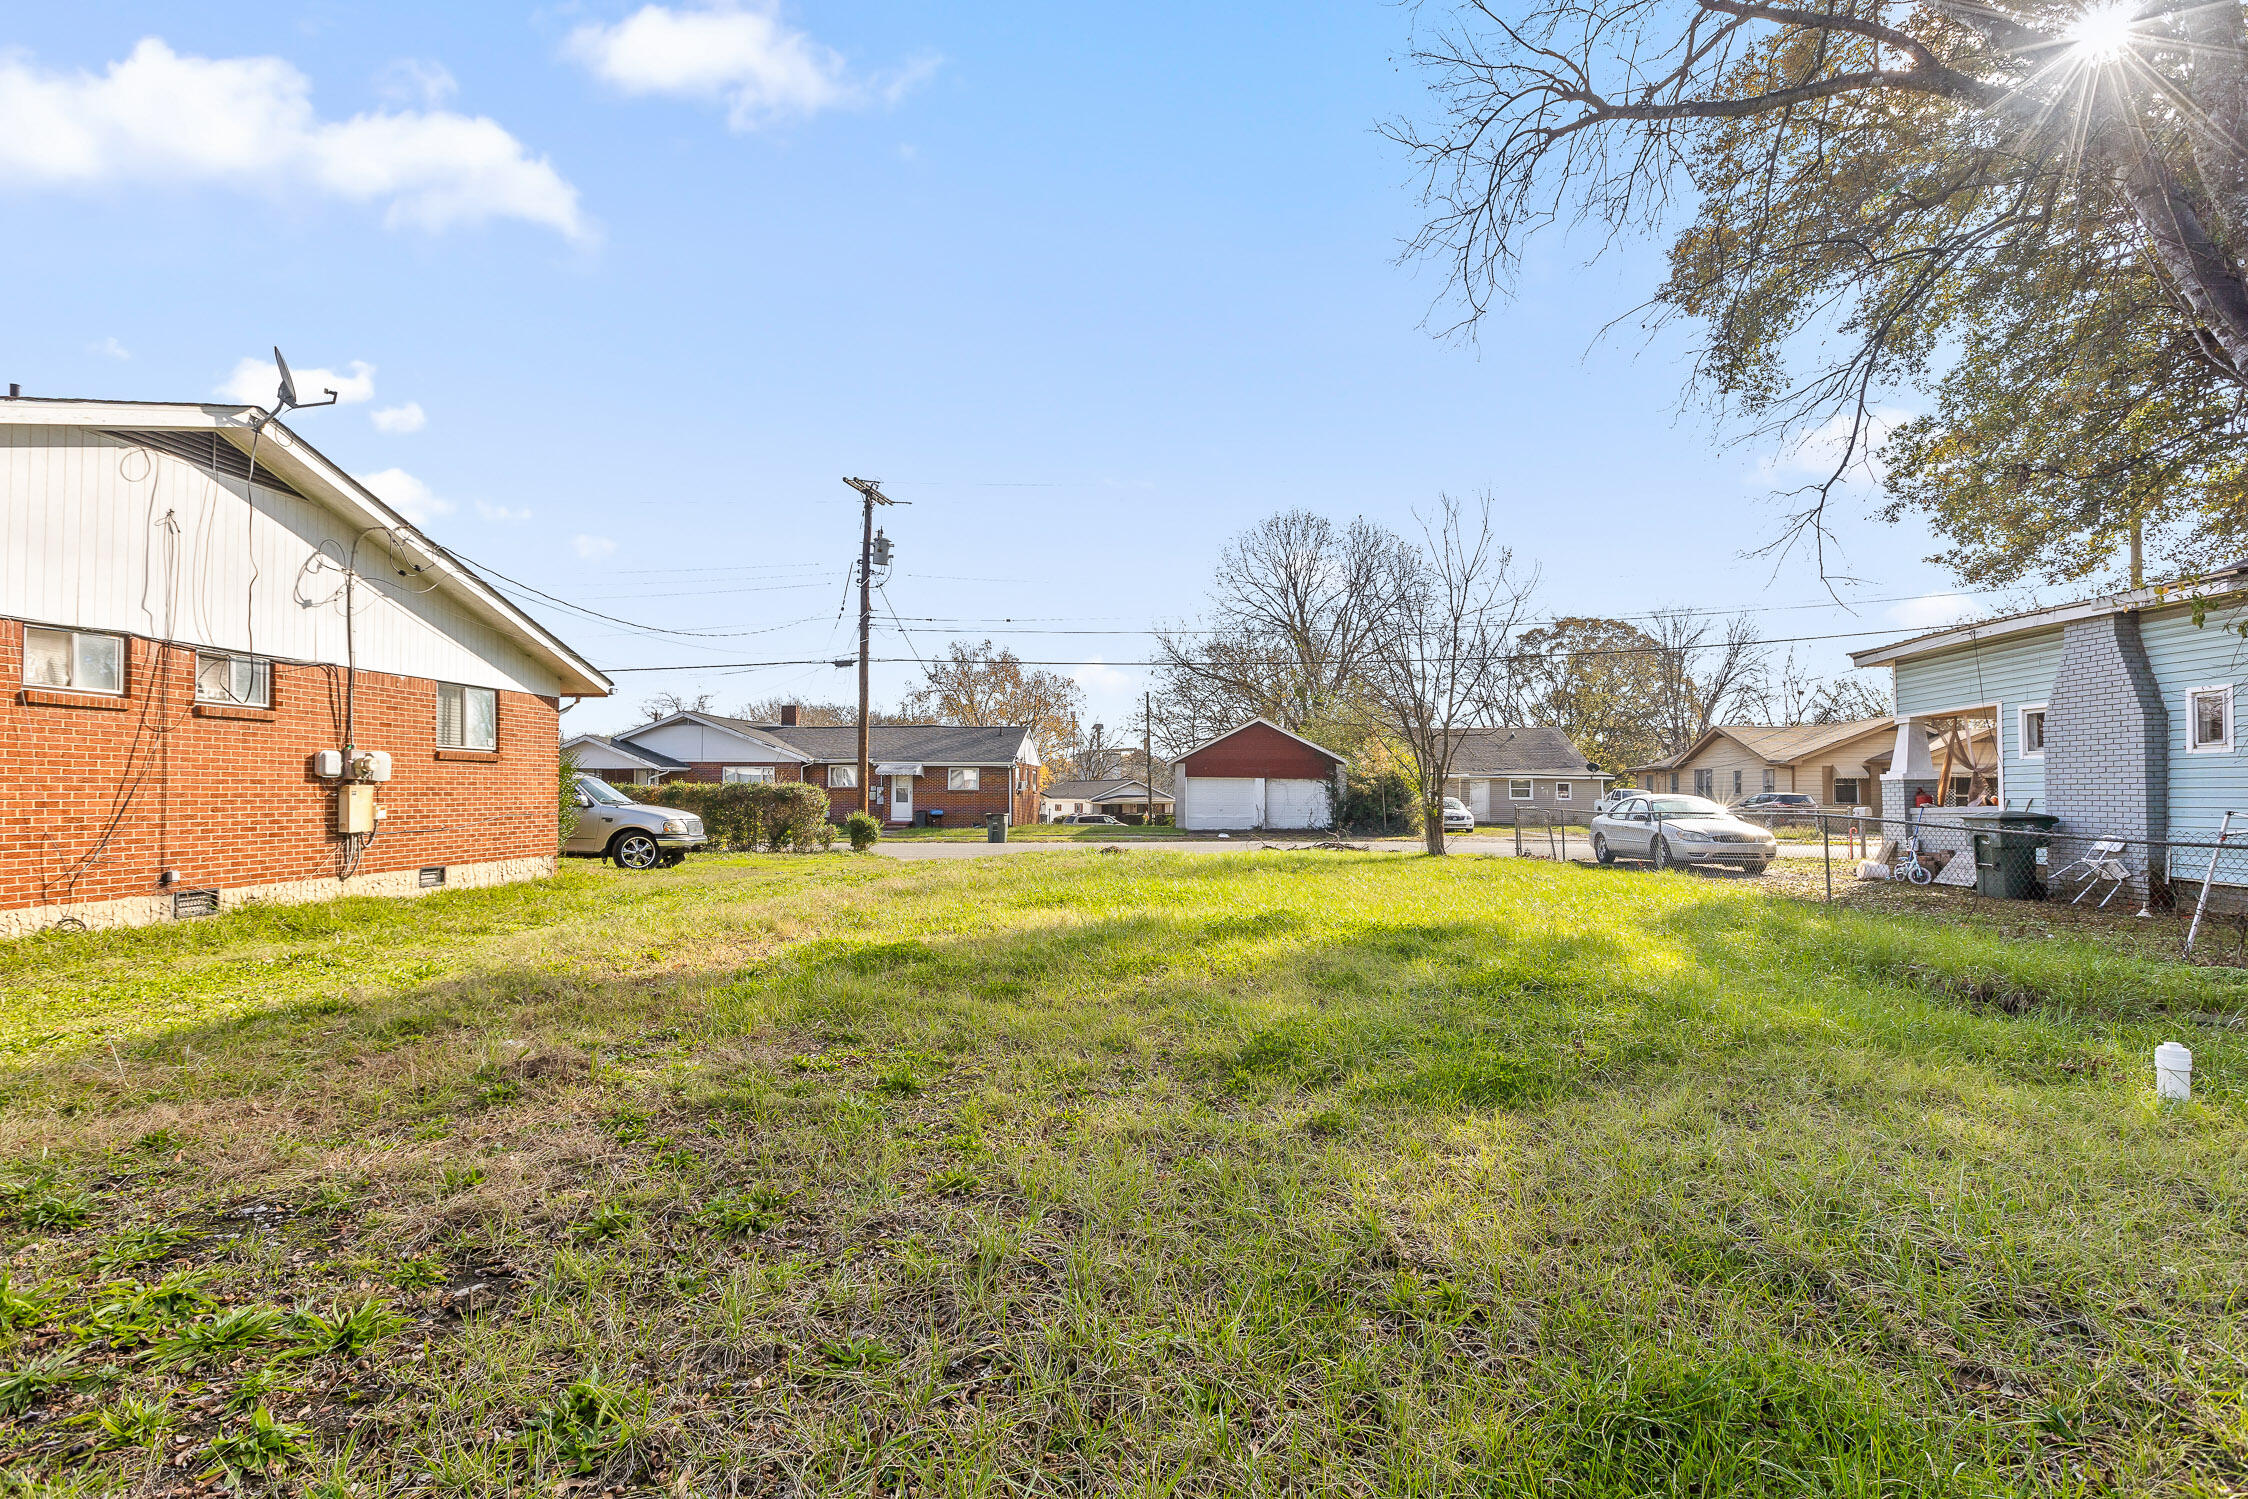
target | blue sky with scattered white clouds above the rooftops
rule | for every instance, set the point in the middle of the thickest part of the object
(622, 293)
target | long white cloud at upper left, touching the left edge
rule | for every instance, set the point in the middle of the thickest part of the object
(167, 120)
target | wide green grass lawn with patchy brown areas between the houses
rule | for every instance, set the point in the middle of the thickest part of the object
(1136, 1174)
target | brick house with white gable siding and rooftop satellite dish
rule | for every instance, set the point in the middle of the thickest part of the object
(176, 664)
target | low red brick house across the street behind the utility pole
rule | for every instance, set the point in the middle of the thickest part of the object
(921, 770)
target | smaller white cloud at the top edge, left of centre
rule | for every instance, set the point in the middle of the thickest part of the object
(738, 55)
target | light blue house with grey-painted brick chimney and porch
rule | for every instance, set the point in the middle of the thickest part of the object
(2114, 716)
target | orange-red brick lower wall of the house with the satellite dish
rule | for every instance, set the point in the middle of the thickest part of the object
(102, 794)
